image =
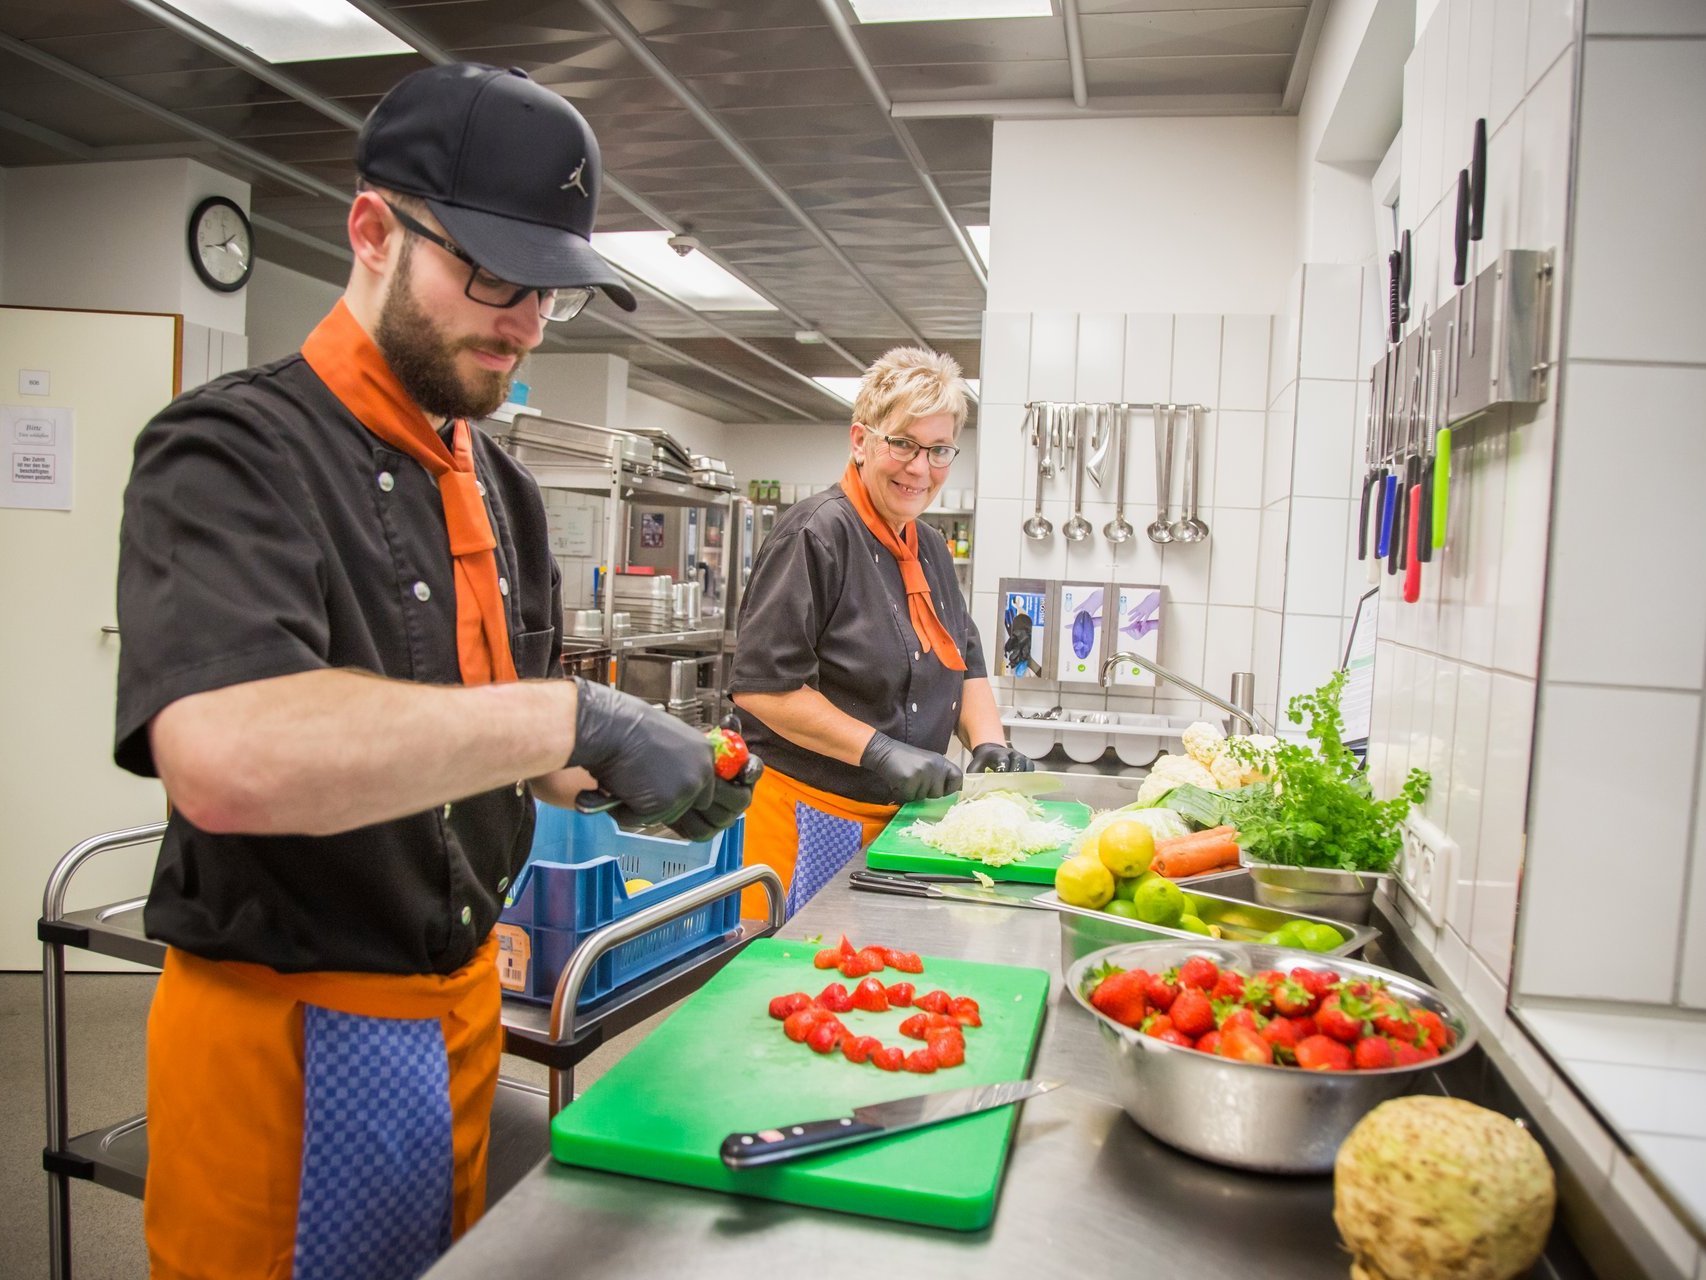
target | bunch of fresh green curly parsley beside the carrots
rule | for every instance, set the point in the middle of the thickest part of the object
(1318, 808)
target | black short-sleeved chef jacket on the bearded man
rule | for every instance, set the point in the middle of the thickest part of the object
(267, 532)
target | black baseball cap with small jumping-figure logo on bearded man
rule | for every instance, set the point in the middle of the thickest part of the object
(506, 165)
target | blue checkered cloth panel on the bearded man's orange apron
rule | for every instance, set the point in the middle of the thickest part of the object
(378, 1163)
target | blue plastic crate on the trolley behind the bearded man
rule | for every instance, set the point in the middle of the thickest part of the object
(574, 883)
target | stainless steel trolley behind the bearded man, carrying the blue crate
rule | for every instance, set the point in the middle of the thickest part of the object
(559, 1039)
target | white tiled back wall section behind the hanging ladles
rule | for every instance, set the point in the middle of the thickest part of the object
(1209, 627)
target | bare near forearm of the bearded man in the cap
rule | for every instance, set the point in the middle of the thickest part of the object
(327, 752)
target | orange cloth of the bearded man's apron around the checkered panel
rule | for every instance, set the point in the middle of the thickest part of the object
(226, 1095)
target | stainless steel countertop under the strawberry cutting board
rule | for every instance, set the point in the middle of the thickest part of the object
(1086, 1190)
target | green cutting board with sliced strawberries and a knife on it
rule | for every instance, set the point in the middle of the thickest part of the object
(722, 1066)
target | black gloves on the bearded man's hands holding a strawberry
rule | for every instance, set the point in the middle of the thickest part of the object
(654, 765)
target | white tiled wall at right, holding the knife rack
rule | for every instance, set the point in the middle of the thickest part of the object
(1553, 677)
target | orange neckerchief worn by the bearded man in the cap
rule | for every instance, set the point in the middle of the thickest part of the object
(351, 364)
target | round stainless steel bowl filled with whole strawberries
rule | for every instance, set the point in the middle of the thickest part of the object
(1245, 1114)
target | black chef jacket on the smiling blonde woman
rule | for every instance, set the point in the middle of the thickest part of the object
(827, 610)
